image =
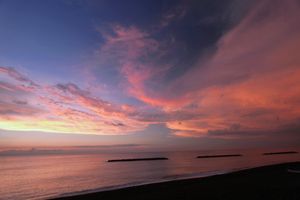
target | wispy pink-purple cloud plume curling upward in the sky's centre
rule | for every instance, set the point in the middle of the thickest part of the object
(134, 52)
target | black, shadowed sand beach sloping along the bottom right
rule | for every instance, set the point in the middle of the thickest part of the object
(270, 182)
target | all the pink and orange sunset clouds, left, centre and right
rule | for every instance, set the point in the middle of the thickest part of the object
(249, 84)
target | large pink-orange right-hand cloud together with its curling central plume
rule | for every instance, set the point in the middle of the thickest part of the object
(251, 80)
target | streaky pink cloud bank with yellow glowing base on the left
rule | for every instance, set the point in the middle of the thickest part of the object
(63, 108)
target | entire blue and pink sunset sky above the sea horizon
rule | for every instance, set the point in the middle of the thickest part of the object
(161, 74)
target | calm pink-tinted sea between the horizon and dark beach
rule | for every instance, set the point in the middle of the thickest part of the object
(52, 175)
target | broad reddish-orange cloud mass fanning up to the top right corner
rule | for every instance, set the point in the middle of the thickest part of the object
(253, 78)
